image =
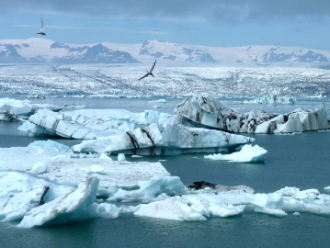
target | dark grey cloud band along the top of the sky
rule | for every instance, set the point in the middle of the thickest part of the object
(215, 10)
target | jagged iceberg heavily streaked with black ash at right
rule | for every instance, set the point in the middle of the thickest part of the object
(211, 113)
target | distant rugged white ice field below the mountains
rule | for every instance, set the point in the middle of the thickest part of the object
(107, 80)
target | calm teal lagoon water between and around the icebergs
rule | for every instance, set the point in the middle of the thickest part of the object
(302, 160)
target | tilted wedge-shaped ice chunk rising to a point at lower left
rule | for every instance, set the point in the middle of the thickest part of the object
(70, 207)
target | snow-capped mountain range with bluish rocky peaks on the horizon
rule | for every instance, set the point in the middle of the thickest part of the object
(37, 50)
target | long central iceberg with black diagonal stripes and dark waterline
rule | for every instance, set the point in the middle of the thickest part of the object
(164, 140)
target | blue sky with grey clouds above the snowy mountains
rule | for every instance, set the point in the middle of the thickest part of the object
(218, 23)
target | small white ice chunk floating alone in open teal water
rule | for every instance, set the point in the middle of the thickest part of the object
(248, 153)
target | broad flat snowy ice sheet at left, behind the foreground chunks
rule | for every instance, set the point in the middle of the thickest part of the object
(57, 163)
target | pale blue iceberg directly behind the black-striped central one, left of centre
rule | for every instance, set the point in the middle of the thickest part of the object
(89, 123)
